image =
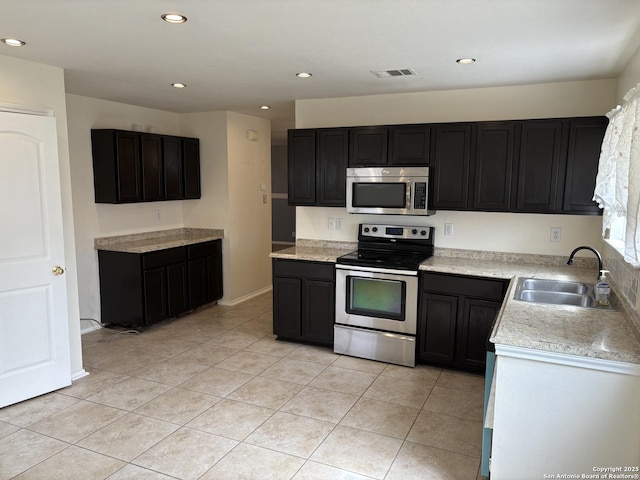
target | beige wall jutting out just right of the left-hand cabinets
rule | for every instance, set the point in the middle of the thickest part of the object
(235, 169)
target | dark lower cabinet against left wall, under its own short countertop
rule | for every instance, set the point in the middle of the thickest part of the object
(139, 290)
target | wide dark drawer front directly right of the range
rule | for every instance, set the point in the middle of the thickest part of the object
(461, 285)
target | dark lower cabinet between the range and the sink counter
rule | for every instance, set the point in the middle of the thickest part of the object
(456, 316)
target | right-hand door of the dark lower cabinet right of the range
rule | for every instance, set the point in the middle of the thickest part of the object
(475, 326)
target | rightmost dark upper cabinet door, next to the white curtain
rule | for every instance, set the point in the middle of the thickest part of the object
(585, 143)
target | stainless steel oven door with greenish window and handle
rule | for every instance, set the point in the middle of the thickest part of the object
(377, 298)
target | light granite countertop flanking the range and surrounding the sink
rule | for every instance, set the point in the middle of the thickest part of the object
(607, 334)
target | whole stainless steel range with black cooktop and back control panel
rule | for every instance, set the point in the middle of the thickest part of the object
(377, 293)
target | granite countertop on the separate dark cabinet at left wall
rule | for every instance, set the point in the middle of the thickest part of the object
(157, 240)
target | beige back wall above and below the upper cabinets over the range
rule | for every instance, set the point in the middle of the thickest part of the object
(503, 232)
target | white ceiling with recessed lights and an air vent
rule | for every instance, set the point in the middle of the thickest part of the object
(240, 54)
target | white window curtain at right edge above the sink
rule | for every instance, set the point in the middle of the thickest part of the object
(618, 182)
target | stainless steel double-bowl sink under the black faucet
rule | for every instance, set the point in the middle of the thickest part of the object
(556, 292)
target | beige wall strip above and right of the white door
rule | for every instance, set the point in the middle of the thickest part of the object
(34, 84)
